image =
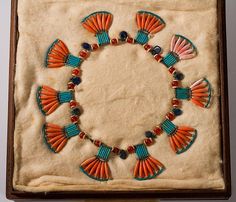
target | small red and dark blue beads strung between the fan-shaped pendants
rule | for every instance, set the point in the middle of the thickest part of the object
(150, 135)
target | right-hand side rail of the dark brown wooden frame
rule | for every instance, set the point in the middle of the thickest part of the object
(224, 103)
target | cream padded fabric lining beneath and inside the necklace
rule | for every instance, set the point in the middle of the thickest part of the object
(124, 92)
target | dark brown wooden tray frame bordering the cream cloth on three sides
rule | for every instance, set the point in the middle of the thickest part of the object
(160, 194)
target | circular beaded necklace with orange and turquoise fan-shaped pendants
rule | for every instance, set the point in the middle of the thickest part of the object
(180, 137)
